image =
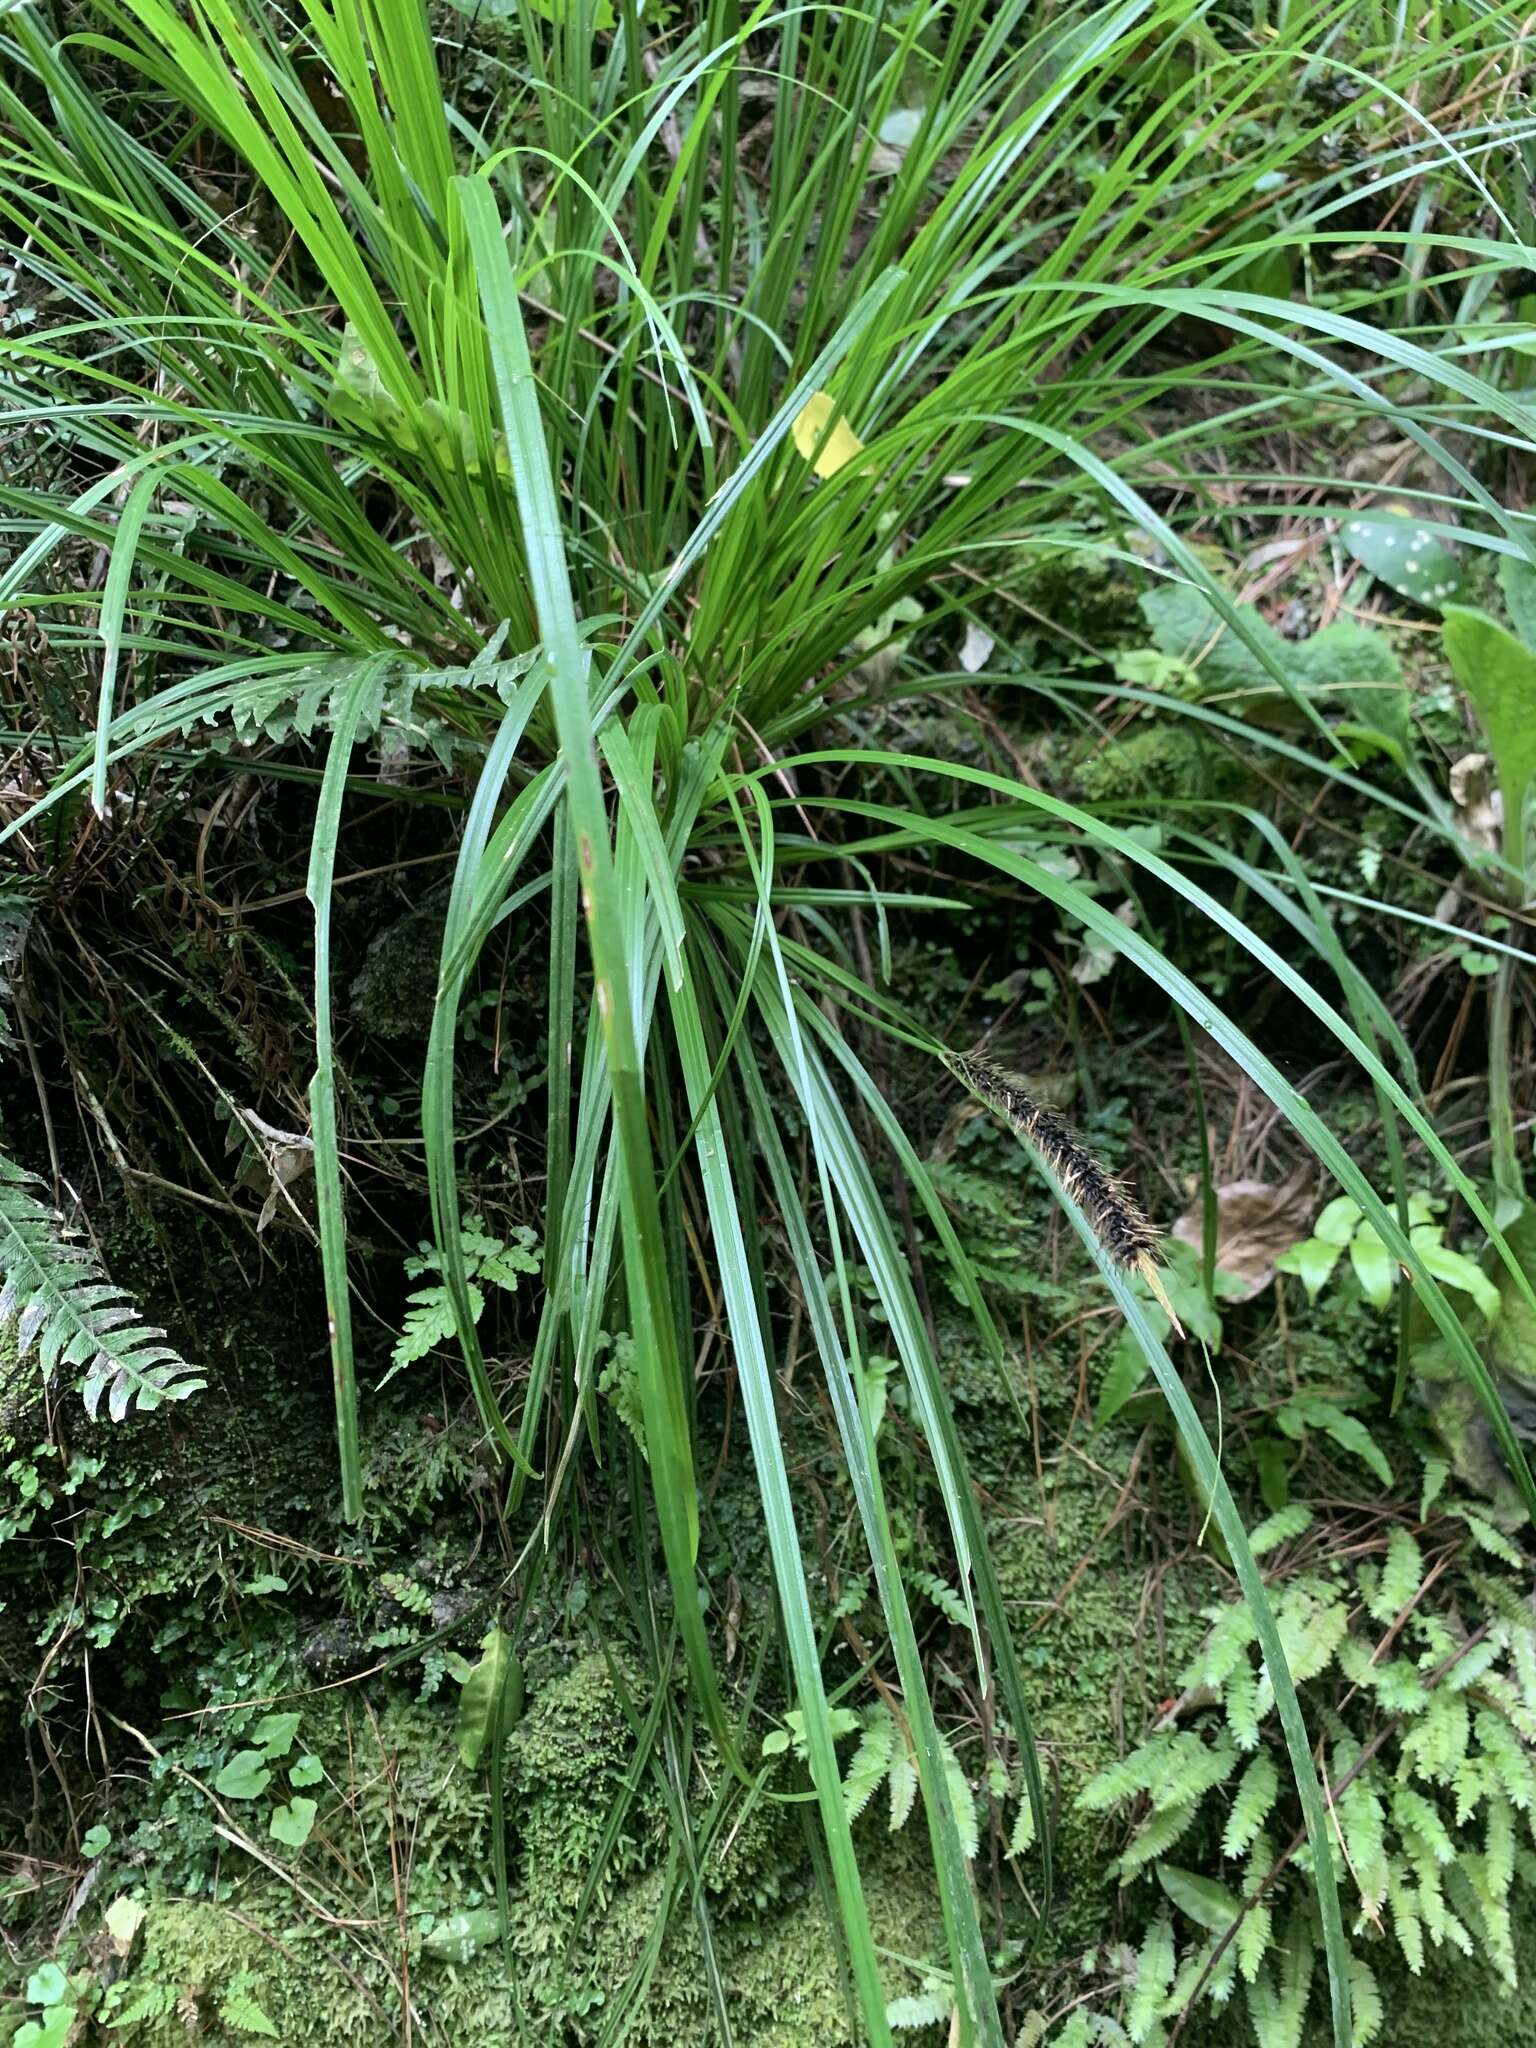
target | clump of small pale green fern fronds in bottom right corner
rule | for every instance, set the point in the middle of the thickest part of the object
(1431, 1797)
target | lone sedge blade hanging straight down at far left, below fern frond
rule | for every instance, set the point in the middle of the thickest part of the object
(323, 1089)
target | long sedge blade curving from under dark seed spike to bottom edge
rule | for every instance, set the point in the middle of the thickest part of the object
(1258, 1605)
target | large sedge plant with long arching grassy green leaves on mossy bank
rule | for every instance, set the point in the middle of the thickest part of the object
(615, 433)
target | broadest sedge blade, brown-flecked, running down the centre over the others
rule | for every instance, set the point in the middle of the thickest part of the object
(656, 1345)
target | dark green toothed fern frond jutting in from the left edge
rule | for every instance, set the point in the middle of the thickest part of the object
(73, 1316)
